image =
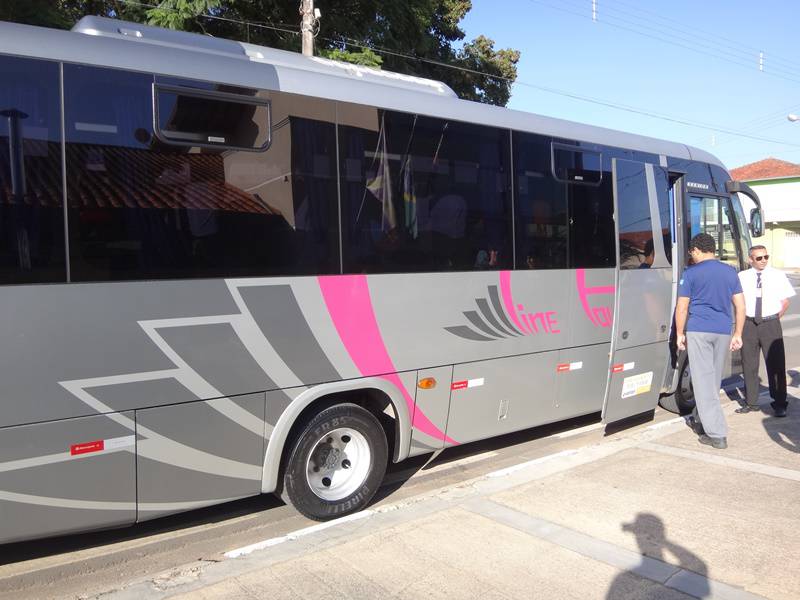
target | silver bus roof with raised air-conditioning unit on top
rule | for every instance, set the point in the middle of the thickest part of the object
(119, 44)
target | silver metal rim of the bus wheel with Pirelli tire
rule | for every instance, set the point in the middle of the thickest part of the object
(338, 464)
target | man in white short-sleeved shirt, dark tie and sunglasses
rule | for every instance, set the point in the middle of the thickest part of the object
(766, 297)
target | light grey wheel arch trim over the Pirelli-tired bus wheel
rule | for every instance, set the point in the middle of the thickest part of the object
(322, 395)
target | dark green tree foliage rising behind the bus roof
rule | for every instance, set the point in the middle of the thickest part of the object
(375, 33)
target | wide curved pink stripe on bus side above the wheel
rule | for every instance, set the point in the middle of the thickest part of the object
(350, 306)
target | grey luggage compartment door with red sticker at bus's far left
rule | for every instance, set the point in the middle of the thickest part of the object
(66, 476)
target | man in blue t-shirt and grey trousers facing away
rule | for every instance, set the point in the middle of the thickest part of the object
(705, 294)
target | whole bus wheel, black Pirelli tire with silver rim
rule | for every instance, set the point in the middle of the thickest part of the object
(336, 463)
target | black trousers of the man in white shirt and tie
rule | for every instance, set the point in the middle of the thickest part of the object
(766, 338)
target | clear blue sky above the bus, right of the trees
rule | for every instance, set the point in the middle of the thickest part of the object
(682, 61)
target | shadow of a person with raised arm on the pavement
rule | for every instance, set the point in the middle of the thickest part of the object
(653, 543)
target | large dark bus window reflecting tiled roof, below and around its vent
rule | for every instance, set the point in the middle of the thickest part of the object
(144, 209)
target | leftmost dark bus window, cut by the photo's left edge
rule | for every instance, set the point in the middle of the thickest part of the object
(31, 207)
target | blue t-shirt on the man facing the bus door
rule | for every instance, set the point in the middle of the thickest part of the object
(709, 285)
